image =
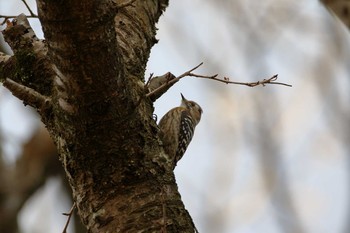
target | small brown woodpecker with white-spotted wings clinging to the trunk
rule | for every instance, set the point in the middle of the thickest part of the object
(177, 128)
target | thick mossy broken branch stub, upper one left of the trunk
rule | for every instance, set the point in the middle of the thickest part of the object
(29, 66)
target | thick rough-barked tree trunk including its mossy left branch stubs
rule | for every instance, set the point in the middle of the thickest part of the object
(86, 80)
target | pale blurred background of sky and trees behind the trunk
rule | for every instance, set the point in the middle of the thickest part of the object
(264, 159)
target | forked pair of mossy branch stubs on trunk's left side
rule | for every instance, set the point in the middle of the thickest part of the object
(23, 73)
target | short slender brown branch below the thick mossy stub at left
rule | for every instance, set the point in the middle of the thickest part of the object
(27, 95)
